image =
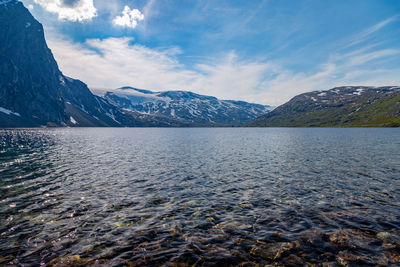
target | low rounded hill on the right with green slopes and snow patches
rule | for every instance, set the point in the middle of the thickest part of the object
(349, 106)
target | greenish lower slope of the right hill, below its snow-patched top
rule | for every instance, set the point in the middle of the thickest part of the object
(367, 111)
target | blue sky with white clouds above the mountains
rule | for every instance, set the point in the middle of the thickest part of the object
(261, 51)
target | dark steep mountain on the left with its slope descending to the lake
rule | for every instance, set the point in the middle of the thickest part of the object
(33, 91)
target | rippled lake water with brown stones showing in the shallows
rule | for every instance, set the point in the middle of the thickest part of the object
(211, 197)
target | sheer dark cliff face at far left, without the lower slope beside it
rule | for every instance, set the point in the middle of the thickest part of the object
(29, 76)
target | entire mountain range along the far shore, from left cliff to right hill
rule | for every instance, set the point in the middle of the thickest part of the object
(34, 93)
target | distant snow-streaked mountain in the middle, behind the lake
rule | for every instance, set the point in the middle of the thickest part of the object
(185, 107)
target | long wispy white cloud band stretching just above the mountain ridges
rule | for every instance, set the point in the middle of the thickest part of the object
(115, 62)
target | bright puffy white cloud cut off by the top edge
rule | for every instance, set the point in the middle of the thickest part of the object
(72, 10)
